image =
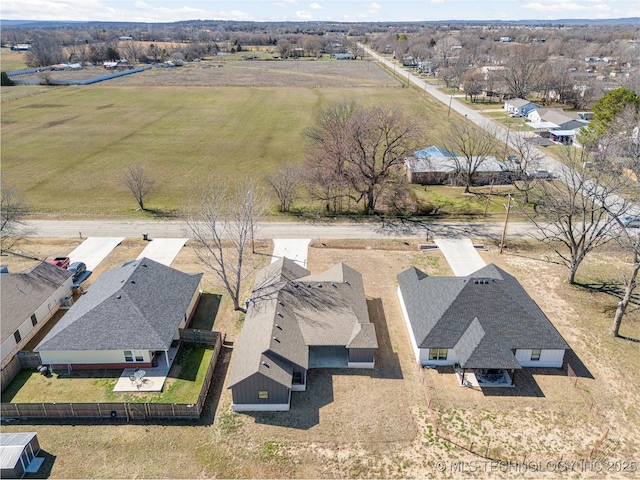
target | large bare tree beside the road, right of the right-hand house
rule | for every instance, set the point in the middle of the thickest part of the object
(578, 213)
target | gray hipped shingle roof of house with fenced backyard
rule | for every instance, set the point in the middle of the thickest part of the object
(138, 305)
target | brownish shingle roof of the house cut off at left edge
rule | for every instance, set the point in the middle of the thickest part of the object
(23, 293)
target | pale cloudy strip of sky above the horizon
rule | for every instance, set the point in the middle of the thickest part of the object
(315, 10)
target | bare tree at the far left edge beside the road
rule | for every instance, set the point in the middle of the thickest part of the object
(12, 211)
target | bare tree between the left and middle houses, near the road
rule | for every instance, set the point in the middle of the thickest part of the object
(221, 220)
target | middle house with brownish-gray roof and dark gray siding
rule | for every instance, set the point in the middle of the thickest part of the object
(295, 322)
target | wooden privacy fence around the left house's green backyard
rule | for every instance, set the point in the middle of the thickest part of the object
(127, 410)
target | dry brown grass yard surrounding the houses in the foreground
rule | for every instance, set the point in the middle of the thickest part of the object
(375, 424)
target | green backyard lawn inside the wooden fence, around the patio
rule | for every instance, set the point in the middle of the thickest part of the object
(182, 385)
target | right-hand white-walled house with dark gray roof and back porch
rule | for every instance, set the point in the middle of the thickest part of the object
(485, 324)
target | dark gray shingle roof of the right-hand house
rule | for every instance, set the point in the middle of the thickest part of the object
(442, 310)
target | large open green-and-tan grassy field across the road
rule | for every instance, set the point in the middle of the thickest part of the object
(66, 148)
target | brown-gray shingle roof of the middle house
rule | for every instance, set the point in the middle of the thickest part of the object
(291, 310)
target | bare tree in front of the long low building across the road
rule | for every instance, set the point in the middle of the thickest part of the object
(470, 146)
